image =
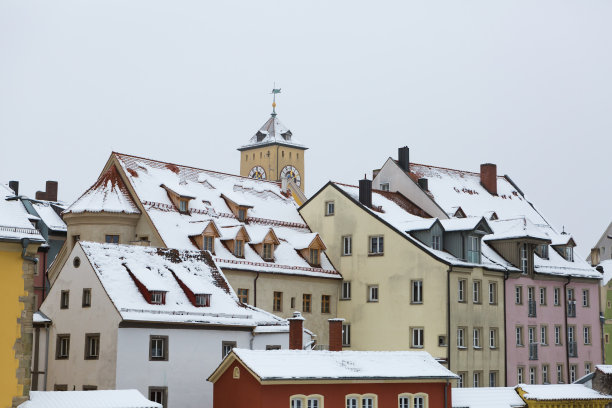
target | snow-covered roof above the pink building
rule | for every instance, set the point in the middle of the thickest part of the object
(517, 217)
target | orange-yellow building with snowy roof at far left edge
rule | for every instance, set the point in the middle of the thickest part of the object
(19, 243)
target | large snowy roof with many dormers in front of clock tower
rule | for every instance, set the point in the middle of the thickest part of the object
(270, 209)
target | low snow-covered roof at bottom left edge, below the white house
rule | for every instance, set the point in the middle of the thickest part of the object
(89, 399)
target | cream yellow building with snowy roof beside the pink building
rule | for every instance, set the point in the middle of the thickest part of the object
(402, 291)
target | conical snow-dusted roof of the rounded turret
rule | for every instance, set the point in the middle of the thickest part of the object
(108, 194)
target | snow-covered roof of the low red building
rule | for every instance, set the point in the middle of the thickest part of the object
(311, 364)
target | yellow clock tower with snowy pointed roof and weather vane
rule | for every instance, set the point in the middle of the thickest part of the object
(273, 153)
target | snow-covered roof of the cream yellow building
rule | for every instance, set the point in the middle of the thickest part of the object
(398, 217)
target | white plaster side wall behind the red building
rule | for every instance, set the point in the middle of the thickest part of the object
(193, 354)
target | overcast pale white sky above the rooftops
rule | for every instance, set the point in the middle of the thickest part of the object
(524, 84)
